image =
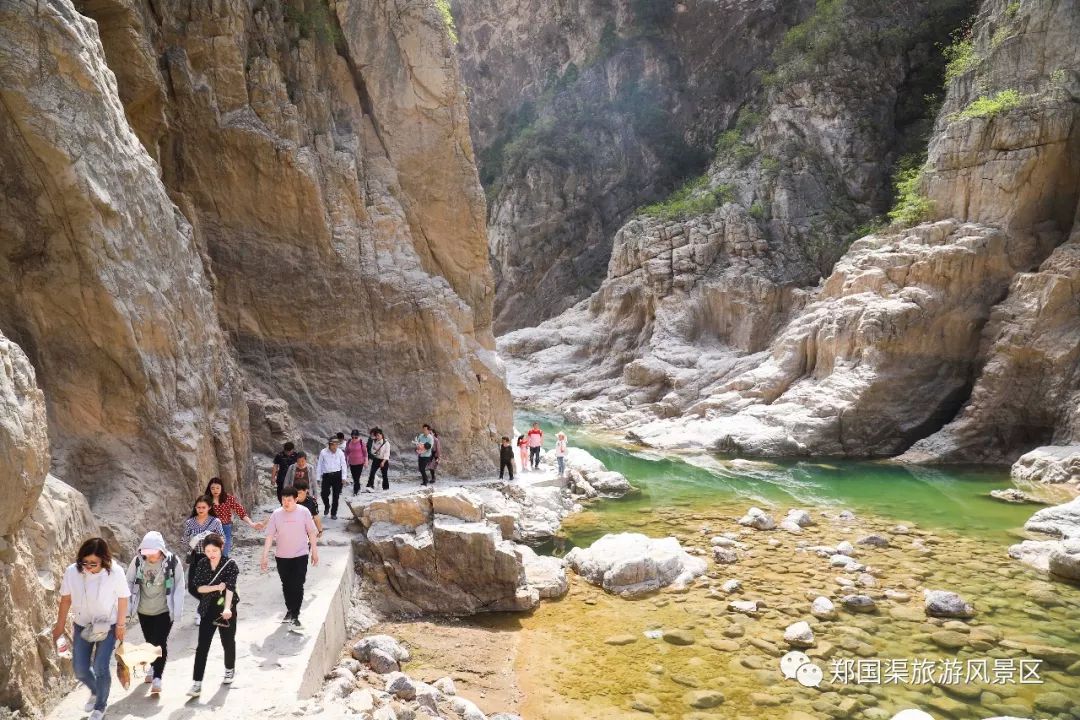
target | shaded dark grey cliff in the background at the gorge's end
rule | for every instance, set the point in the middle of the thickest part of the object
(584, 113)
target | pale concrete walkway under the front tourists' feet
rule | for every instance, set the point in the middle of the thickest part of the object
(275, 667)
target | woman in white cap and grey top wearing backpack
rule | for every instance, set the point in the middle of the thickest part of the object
(157, 585)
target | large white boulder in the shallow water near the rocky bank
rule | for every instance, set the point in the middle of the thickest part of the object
(632, 565)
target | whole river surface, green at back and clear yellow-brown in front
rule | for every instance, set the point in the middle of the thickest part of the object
(568, 671)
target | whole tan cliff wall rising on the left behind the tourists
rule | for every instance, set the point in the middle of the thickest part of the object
(267, 208)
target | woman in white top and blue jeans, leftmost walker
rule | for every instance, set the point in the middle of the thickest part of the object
(97, 595)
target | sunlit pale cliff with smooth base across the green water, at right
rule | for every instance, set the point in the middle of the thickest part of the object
(706, 336)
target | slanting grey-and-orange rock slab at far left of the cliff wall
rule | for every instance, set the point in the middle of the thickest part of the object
(104, 284)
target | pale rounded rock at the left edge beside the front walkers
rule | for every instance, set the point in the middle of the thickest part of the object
(43, 524)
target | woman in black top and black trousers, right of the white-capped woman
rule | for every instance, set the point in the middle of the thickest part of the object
(213, 581)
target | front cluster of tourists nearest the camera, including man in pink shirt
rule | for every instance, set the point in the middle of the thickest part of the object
(101, 600)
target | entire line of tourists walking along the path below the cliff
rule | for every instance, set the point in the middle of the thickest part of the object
(101, 599)
